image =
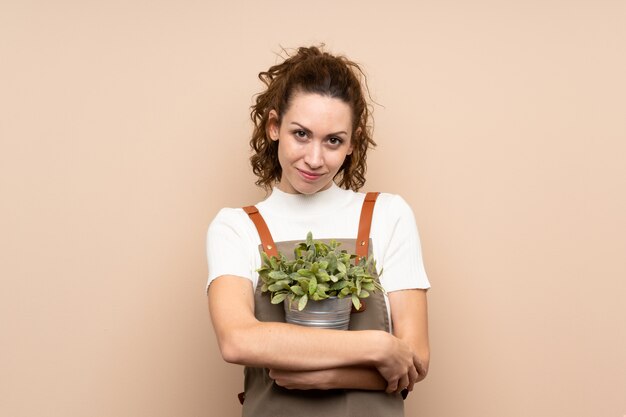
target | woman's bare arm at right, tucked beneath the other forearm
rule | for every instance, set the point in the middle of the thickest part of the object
(410, 323)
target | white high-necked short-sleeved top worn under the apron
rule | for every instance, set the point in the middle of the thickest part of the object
(233, 241)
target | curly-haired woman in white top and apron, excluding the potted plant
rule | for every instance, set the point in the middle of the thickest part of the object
(310, 142)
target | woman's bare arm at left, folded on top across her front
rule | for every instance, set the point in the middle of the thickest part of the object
(245, 340)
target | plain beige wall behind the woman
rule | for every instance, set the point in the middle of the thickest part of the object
(124, 128)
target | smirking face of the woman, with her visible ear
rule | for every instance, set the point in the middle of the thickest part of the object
(313, 141)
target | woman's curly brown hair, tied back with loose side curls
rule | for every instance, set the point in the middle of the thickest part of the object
(311, 70)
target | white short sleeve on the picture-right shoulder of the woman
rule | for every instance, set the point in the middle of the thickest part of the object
(403, 264)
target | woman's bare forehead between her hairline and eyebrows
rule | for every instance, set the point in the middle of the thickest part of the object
(316, 111)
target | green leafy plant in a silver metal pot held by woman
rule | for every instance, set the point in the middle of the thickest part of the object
(321, 283)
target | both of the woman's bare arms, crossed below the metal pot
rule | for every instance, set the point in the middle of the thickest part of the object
(367, 359)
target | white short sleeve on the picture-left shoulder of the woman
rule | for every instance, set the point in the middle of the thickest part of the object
(229, 246)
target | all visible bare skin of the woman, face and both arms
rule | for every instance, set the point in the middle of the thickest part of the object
(314, 139)
